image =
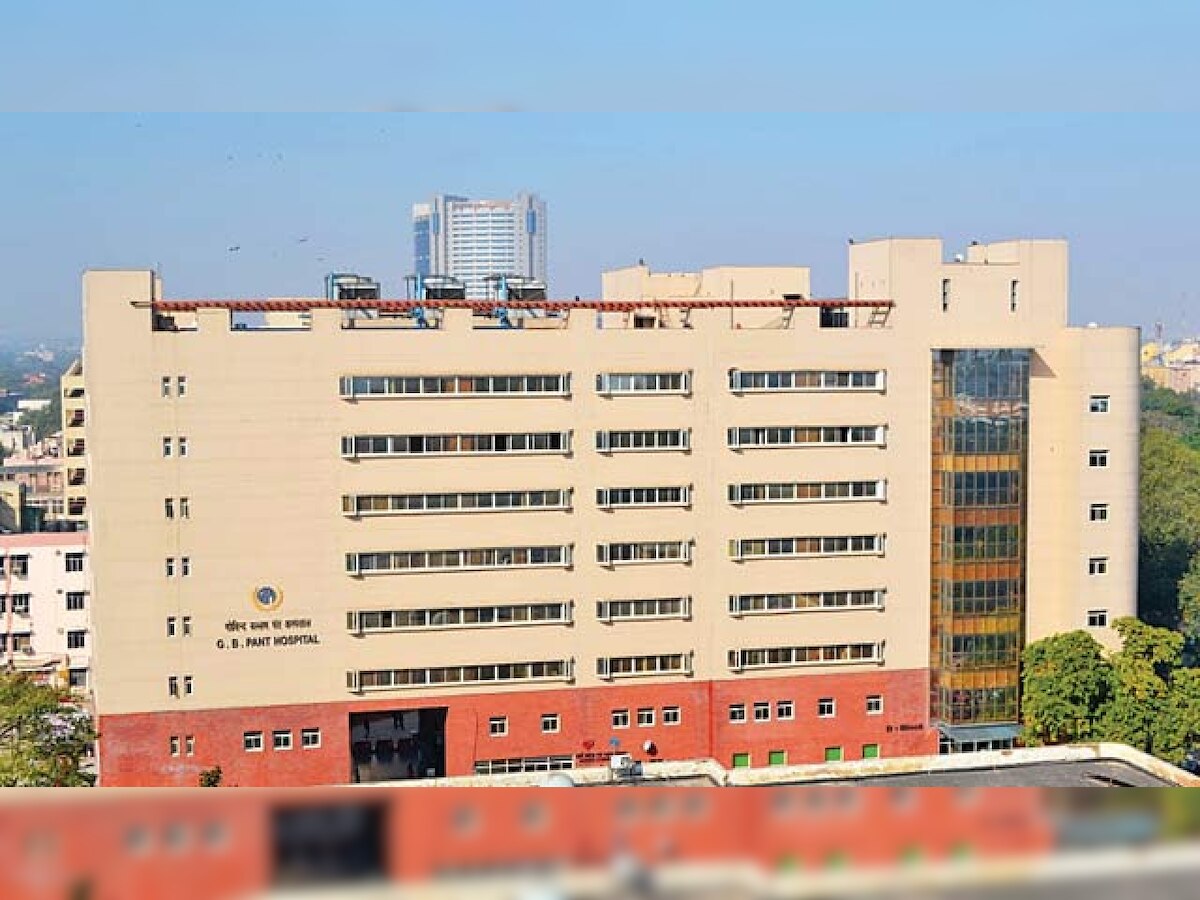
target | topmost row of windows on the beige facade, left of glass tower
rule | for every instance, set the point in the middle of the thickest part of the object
(608, 383)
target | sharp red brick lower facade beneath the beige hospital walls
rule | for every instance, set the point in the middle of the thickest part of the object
(137, 749)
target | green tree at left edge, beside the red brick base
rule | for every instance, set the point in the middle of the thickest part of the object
(44, 736)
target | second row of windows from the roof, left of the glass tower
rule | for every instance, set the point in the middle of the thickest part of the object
(560, 442)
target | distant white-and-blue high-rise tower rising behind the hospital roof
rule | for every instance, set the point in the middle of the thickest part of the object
(473, 239)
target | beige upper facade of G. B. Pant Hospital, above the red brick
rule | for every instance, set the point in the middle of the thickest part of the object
(224, 461)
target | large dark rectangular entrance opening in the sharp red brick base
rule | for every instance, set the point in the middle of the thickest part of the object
(398, 745)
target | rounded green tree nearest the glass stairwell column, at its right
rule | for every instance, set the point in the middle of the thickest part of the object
(1067, 683)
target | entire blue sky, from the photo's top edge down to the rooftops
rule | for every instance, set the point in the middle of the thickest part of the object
(778, 181)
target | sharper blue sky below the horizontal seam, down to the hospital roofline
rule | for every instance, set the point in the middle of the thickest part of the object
(268, 206)
